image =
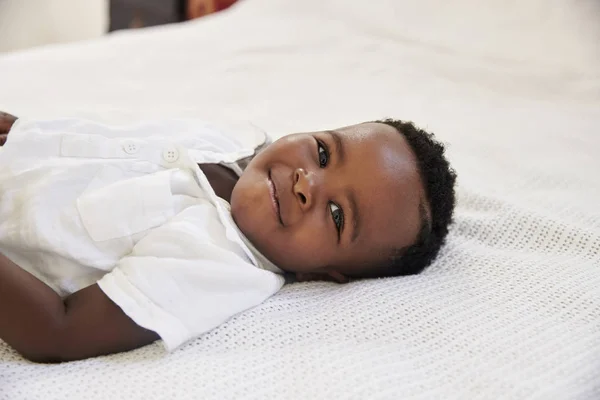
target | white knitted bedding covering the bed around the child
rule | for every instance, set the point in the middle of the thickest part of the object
(511, 309)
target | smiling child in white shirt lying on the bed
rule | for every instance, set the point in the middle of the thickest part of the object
(111, 238)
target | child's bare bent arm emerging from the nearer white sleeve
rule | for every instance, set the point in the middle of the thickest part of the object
(45, 328)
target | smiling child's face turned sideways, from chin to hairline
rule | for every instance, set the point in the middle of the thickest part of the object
(332, 203)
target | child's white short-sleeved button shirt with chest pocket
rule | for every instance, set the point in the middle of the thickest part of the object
(130, 209)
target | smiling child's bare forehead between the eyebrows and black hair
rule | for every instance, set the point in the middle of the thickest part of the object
(388, 187)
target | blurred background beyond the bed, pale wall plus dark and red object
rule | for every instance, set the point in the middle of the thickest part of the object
(31, 23)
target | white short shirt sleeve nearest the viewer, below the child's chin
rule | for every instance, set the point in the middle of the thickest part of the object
(181, 280)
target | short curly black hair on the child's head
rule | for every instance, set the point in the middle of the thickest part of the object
(438, 179)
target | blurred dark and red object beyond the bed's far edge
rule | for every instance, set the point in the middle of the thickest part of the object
(126, 14)
